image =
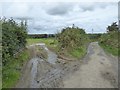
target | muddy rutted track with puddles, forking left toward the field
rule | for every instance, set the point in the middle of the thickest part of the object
(39, 73)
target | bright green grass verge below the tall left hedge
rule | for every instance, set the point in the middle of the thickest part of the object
(12, 71)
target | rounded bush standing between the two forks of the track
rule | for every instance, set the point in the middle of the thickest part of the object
(71, 37)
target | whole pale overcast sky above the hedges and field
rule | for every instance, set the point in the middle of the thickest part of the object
(50, 17)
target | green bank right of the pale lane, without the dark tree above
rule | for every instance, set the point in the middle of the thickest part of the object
(109, 42)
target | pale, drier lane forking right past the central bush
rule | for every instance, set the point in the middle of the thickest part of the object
(97, 71)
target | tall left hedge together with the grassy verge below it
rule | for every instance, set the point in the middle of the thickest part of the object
(13, 43)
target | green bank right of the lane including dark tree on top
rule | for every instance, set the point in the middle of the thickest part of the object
(109, 41)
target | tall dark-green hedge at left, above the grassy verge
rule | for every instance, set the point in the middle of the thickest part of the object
(13, 38)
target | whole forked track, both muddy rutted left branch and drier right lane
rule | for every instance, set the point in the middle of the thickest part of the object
(96, 70)
